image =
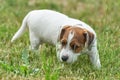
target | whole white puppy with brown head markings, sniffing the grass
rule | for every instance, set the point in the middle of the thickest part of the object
(71, 37)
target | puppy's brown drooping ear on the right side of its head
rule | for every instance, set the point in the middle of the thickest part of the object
(88, 37)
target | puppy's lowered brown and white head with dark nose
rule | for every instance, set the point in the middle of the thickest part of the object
(72, 41)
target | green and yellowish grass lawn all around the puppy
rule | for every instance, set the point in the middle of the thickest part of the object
(19, 63)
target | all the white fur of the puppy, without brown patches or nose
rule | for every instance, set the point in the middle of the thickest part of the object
(45, 26)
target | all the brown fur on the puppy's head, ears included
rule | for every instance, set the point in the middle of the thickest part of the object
(78, 41)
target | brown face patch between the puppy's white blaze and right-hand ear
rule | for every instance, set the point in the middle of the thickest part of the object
(78, 41)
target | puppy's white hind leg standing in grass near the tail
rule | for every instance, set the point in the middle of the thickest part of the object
(34, 41)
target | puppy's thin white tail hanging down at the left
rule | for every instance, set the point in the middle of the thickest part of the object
(21, 30)
